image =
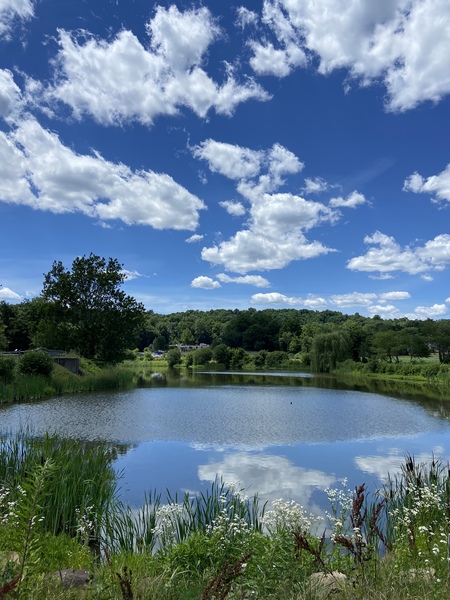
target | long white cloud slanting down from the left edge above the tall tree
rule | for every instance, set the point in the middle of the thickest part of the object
(37, 170)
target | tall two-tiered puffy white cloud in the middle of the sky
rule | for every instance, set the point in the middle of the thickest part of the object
(277, 221)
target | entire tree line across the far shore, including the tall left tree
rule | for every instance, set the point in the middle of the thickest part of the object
(84, 309)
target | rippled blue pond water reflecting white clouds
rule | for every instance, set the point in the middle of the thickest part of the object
(281, 435)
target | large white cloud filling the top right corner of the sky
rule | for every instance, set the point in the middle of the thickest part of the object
(375, 42)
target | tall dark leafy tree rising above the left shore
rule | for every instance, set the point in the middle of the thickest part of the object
(87, 310)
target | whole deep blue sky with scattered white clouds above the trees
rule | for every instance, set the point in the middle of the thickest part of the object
(263, 153)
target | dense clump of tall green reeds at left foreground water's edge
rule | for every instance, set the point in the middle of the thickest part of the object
(82, 483)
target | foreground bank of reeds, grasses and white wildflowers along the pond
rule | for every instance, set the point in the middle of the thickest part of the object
(59, 510)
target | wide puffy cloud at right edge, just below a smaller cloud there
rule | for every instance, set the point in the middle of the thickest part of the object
(387, 256)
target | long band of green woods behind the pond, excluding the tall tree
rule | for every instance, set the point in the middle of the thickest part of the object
(321, 339)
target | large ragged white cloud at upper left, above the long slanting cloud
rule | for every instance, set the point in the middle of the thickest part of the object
(123, 80)
